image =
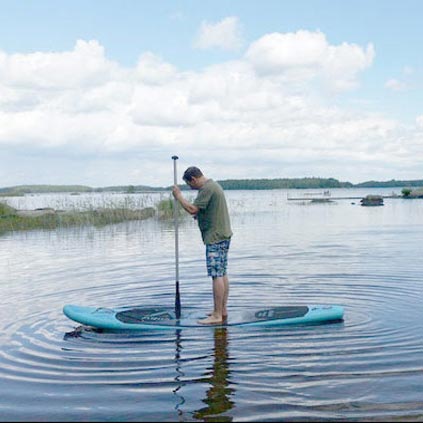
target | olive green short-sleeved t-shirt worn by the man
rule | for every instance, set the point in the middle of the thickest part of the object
(213, 216)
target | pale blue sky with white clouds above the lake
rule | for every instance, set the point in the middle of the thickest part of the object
(105, 92)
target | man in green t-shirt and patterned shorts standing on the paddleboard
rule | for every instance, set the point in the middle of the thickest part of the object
(211, 211)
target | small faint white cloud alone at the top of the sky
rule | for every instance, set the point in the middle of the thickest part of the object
(225, 34)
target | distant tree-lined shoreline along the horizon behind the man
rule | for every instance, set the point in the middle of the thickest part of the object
(228, 184)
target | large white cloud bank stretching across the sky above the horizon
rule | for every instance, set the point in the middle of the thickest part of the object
(236, 119)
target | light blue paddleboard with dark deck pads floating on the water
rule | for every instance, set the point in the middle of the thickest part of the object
(141, 318)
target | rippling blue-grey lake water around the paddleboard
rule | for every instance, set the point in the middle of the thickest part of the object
(368, 367)
